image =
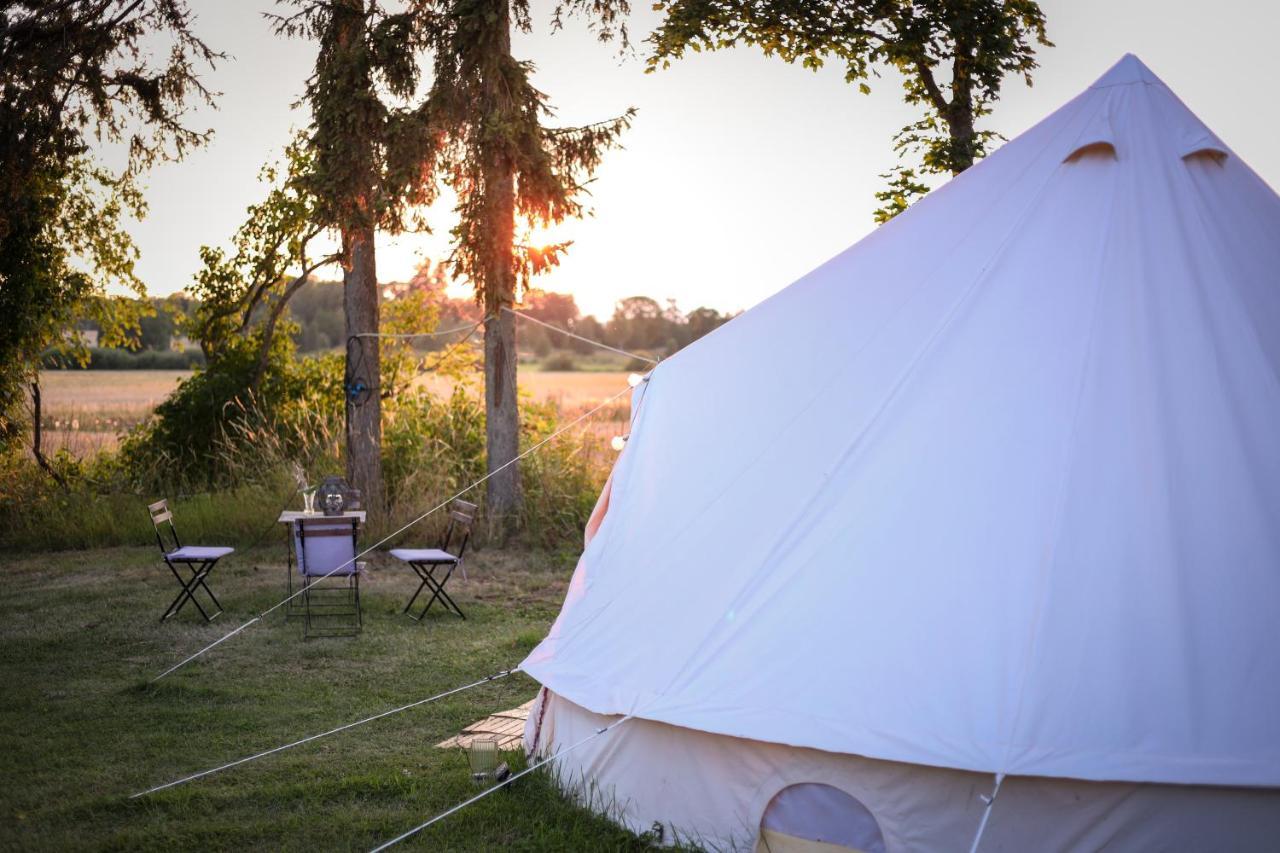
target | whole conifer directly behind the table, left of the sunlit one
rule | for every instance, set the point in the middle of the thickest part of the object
(374, 154)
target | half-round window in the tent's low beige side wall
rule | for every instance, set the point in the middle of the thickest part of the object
(819, 819)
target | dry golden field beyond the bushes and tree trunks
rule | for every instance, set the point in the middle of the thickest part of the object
(86, 410)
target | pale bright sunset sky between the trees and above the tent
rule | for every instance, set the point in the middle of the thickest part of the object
(739, 175)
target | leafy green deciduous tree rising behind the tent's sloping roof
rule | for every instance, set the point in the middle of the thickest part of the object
(953, 56)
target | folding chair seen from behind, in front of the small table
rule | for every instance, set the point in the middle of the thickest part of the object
(327, 551)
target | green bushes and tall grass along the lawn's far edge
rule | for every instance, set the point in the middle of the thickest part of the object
(226, 459)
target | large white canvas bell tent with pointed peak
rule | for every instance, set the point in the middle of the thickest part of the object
(994, 496)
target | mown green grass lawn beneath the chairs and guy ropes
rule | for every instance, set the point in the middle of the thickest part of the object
(81, 728)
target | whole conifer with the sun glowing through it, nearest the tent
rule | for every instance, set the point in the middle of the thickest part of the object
(508, 167)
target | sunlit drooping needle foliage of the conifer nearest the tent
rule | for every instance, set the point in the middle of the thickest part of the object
(493, 120)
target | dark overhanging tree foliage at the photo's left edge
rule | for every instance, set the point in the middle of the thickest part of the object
(71, 72)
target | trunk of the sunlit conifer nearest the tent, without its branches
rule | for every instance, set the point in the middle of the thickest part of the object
(502, 417)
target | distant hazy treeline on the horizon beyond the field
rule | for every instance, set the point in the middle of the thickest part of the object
(638, 325)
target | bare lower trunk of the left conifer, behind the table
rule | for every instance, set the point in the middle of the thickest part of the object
(364, 367)
